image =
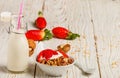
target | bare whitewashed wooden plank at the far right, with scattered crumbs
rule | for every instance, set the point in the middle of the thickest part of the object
(106, 20)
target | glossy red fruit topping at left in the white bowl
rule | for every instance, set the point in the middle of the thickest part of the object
(47, 53)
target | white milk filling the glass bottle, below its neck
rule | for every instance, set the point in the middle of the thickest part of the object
(18, 52)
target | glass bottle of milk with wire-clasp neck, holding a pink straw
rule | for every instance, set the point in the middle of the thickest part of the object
(18, 49)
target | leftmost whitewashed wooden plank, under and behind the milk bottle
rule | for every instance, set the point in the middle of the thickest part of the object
(30, 11)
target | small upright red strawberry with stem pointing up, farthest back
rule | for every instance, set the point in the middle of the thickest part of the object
(40, 22)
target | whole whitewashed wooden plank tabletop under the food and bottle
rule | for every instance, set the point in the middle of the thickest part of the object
(97, 21)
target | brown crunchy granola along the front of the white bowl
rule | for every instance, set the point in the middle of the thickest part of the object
(61, 61)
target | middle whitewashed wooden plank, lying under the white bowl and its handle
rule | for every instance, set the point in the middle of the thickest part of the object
(76, 16)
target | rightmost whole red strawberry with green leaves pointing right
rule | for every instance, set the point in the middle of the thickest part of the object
(63, 33)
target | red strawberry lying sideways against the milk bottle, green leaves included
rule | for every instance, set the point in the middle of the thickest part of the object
(38, 35)
